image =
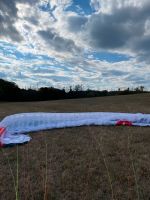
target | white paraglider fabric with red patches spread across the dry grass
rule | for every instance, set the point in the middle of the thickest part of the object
(13, 127)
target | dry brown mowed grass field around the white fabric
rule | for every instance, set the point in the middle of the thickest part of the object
(80, 163)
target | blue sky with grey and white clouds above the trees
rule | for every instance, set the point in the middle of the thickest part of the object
(102, 44)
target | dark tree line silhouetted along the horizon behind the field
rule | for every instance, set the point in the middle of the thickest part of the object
(9, 91)
